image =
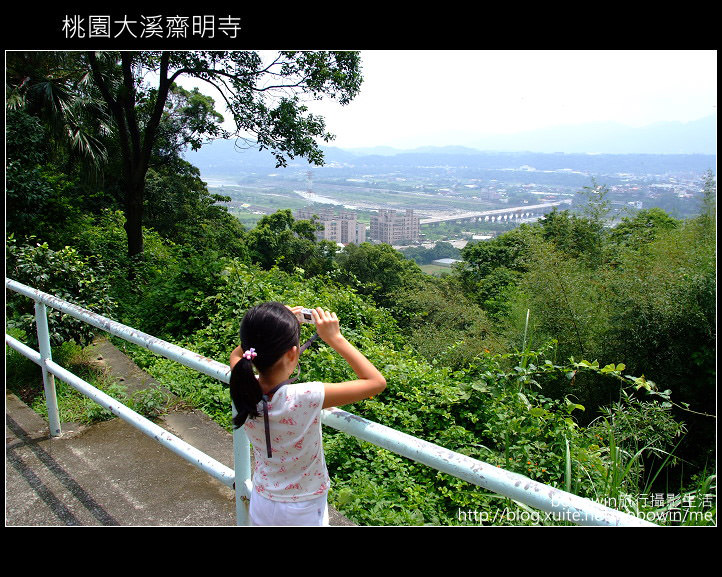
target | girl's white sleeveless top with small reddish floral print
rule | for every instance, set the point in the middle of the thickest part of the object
(296, 470)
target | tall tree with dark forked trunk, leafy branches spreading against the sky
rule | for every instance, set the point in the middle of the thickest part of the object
(264, 98)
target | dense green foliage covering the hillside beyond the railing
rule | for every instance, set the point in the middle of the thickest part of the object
(575, 353)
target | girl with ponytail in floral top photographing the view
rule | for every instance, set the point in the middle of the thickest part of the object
(290, 479)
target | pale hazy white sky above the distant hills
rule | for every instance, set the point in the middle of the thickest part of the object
(415, 98)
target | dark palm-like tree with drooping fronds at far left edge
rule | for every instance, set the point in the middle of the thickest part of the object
(54, 144)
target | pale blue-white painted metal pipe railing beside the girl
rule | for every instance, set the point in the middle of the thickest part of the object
(557, 504)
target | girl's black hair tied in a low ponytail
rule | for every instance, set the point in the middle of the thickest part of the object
(271, 329)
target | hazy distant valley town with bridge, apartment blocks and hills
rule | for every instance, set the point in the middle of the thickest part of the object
(418, 199)
